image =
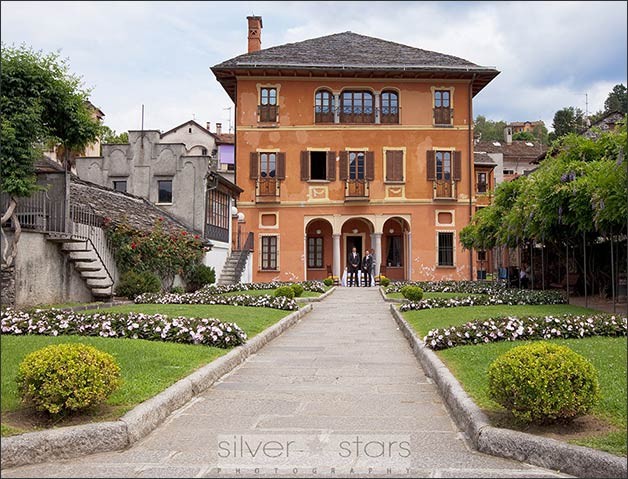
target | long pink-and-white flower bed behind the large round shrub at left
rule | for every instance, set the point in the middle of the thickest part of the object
(153, 327)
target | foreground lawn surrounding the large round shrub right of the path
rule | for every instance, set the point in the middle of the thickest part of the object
(470, 365)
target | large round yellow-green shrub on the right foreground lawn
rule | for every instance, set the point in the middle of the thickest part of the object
(543, 383)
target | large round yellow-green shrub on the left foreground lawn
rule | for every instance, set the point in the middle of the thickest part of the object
(67, 377)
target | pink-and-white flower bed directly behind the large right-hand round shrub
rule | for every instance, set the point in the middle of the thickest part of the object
(527, 328)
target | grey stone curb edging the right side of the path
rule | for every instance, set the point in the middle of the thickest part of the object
(539, 451)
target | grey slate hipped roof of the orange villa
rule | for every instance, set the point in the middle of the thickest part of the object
(349, 53)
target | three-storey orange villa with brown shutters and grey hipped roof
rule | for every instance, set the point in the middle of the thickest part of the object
(348, 140)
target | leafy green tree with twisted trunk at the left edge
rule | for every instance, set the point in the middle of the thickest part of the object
(41, 102)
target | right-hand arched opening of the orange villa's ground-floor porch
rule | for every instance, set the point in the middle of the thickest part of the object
(396, 256)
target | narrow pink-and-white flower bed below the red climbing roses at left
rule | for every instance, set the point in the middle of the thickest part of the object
(205, 296)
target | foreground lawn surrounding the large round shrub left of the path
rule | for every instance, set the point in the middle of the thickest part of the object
(148, 367)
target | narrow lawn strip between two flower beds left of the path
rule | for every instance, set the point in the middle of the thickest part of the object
(251, 320)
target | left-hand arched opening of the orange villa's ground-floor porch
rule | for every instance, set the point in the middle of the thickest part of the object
(318, 249)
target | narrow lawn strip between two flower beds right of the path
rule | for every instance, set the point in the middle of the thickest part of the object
(424, 320)
